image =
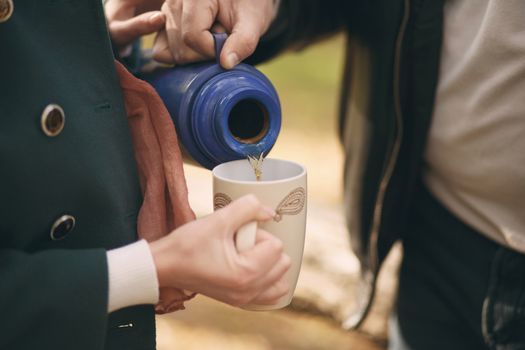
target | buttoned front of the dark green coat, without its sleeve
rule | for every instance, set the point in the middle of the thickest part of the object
(55, 57)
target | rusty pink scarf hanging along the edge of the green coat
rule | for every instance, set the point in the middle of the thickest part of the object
(159, 162)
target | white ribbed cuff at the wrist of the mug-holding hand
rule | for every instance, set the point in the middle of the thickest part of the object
(132, 276)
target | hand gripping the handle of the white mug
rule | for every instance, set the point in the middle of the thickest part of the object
(201, 257)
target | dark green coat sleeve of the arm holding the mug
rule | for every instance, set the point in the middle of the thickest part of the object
(55, 299)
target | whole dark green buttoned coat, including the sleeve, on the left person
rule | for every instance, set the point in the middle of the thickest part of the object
(53, 293)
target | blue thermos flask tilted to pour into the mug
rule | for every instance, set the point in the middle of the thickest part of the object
(220, 115)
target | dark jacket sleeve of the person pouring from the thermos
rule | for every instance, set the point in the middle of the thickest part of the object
(302, 22)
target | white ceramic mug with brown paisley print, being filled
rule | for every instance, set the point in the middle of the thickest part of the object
(281, 187)
